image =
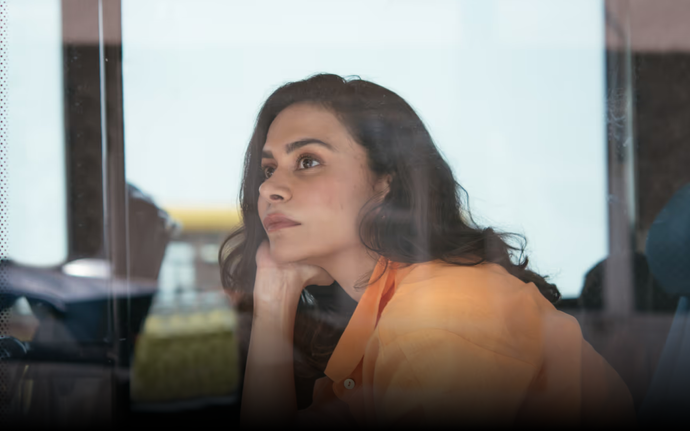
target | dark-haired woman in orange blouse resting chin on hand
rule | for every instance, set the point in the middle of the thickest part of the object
(343, 187)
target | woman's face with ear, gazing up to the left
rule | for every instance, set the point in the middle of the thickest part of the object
(318, 180)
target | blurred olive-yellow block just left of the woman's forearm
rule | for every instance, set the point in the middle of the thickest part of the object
(187, 352)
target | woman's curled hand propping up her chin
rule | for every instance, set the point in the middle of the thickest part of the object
(279, 281)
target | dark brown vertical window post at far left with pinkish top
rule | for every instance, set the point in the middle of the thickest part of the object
(82, 116)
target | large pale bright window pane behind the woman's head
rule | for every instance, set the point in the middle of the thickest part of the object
(512, 95)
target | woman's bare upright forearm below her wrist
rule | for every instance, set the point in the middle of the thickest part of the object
(268, 396)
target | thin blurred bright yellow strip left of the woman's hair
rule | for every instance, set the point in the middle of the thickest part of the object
(207, 219)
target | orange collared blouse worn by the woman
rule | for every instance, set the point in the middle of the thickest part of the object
(440, 344)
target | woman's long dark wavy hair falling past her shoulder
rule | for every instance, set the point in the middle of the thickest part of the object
(424, 217)
